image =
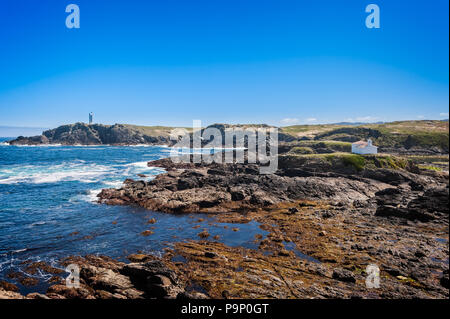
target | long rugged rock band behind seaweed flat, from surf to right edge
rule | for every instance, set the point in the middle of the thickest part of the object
(214, 188)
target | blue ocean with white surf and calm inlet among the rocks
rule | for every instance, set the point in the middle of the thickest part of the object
(48, 208)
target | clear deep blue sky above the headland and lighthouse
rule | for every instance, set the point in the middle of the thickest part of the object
(238, 61)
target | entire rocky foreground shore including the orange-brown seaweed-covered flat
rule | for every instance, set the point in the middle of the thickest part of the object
(326, 222)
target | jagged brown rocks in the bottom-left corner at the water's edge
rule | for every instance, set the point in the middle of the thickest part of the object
(104, 278)
